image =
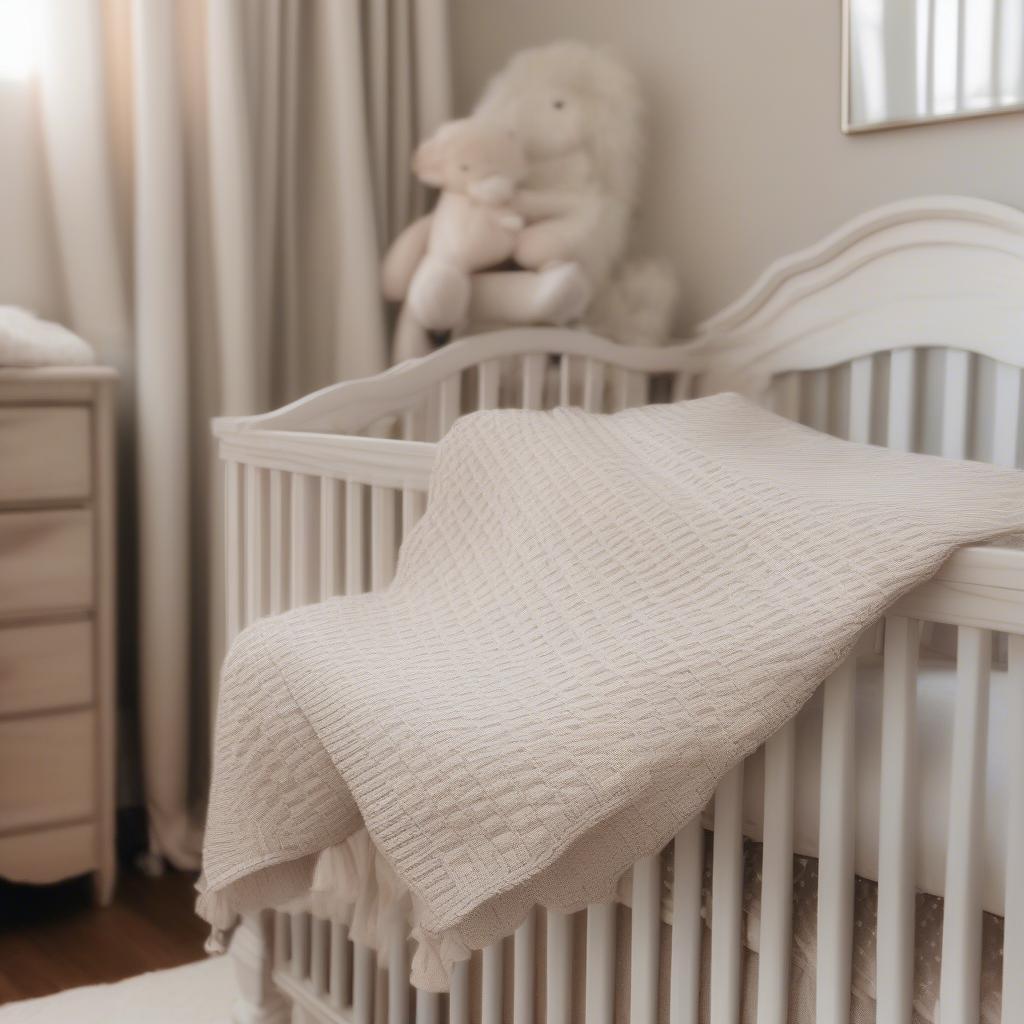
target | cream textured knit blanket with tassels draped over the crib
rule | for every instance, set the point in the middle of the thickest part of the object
(595, 620)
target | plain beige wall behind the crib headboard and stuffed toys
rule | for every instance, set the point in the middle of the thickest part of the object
(747, 159)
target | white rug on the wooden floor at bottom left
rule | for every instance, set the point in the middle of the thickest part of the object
(196, 994)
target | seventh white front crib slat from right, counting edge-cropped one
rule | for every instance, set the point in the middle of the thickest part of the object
(688, 878)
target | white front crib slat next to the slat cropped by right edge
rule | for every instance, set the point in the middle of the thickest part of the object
(960, 983)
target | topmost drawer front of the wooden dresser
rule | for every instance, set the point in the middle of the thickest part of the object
(46, 453)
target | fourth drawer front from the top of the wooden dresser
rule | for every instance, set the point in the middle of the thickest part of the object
(48, 770)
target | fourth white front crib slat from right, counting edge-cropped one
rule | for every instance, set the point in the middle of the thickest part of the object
(836, 879)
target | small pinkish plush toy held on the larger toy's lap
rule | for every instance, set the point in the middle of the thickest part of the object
(479, 166)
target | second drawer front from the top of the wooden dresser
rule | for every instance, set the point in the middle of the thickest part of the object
(46, 562)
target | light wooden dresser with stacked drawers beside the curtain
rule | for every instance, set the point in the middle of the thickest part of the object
(58, 542)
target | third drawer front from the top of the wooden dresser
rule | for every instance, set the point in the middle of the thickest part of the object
(46, 666)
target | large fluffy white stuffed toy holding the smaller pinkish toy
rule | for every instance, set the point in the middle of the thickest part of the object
(579, 116)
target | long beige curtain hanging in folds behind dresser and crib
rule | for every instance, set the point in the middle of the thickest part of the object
(224, 177)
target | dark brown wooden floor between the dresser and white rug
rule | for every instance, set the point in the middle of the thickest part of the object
(53, 937)
